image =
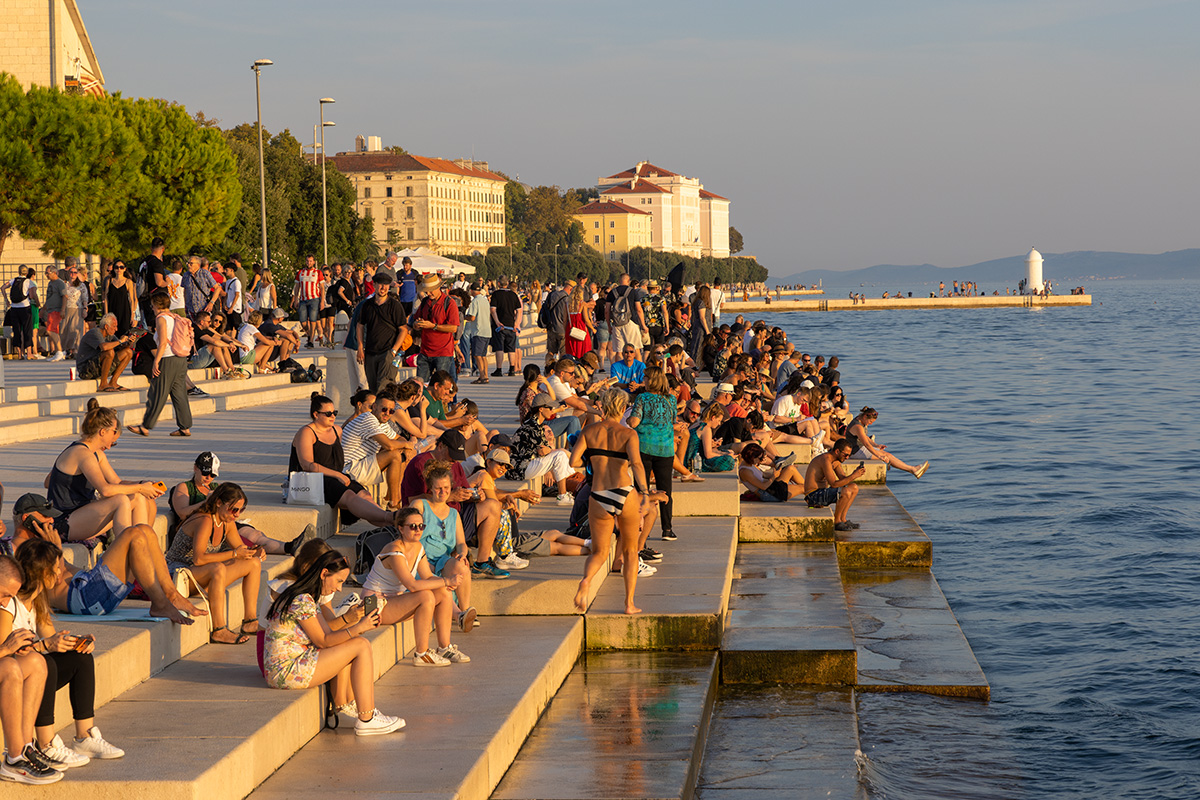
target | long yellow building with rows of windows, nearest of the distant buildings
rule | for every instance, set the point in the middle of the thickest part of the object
(449, 207)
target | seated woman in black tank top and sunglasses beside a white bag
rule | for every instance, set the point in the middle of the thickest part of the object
(317, 448)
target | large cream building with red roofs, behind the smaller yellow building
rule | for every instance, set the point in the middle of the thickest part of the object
(686, 218)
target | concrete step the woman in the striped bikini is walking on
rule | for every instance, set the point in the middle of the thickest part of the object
(683, 605)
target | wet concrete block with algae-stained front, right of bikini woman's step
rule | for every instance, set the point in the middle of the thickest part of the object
(788, 621)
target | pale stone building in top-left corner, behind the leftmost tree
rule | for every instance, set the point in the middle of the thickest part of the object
(45, 44)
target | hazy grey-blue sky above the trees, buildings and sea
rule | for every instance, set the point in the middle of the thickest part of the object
(845, 135)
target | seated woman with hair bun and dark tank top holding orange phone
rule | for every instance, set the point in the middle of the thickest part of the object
(82, 472)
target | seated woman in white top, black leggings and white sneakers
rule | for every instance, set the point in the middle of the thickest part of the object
(69, 661)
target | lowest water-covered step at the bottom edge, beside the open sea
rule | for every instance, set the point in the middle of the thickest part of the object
(782, 744)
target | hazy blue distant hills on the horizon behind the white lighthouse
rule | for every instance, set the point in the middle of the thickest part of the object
(1061, 268)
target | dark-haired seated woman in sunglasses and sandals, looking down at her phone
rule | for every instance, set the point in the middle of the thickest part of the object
(208, 545)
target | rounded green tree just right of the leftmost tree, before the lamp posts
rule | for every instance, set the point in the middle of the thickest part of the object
(188, 190)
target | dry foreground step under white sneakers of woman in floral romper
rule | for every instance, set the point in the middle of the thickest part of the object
(466, 723)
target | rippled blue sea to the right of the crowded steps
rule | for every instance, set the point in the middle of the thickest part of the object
(1065, 513)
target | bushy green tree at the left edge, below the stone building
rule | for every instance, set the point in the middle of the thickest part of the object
(67, 164)
